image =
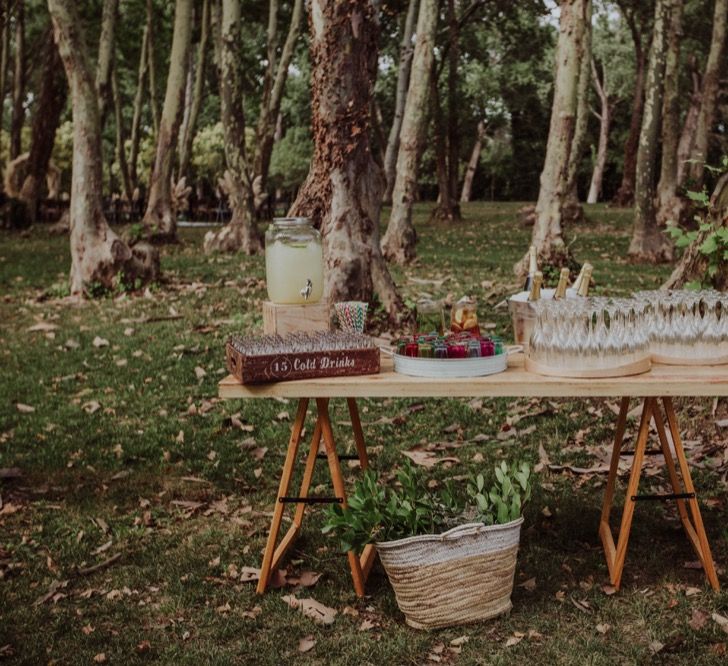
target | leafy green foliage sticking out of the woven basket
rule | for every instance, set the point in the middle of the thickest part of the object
(379, 513)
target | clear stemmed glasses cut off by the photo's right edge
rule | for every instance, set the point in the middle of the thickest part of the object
(686, 325)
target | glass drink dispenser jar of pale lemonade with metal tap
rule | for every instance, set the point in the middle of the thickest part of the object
(294, 261)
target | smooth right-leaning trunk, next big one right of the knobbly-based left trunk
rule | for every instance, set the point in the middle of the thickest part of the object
(160, 221)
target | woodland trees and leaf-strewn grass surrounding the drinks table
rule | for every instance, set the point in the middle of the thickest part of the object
(431, 142)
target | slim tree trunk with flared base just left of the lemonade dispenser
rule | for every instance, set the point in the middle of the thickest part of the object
(242, 232)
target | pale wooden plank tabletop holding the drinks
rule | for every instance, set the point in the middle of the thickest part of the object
(662, 380)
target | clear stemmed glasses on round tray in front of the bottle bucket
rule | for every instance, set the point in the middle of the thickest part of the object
(589, 333)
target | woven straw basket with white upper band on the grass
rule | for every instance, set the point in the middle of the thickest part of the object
(464, 575)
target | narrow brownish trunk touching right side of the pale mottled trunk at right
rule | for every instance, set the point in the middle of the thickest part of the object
(669, 204)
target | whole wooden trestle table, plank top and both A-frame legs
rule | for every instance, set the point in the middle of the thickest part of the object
(655, 388)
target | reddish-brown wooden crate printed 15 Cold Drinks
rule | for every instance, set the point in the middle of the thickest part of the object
(303, 365)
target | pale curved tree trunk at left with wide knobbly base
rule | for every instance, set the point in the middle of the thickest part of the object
(97, 254)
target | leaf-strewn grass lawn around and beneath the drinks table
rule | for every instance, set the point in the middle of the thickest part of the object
(128, 452)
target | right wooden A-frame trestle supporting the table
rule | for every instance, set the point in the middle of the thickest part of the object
(682, 493)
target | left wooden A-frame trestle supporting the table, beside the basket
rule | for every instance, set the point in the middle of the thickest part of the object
(360, 565)
